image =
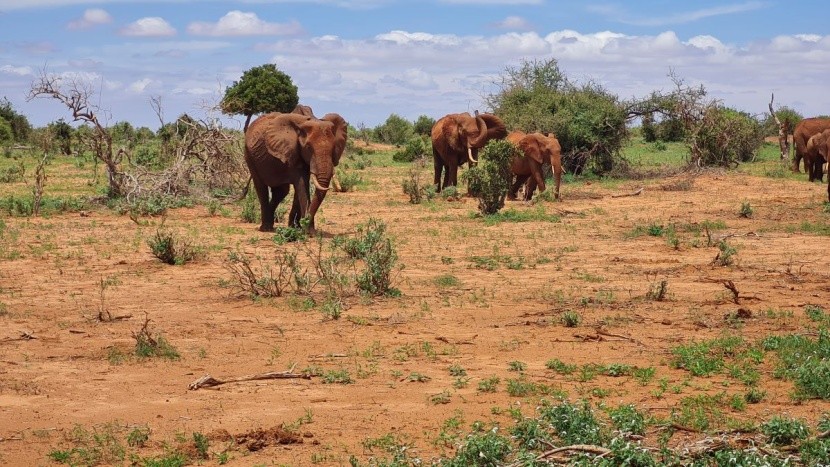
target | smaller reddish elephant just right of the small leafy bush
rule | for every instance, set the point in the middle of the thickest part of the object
(538, 149)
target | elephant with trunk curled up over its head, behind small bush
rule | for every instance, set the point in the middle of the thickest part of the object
(456, 138)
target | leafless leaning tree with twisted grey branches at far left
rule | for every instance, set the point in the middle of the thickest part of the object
(77, 95)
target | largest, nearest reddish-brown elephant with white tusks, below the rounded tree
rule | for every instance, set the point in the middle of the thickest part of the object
(284, 150)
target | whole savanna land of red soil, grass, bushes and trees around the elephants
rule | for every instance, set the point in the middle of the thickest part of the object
(671, 310)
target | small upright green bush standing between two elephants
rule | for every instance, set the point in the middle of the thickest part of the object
(490, 179)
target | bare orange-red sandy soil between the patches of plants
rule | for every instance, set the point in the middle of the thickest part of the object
(62, 367)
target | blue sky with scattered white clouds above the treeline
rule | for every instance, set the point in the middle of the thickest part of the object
(366, 59)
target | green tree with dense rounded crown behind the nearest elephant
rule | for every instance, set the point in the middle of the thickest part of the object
(261, 89)
